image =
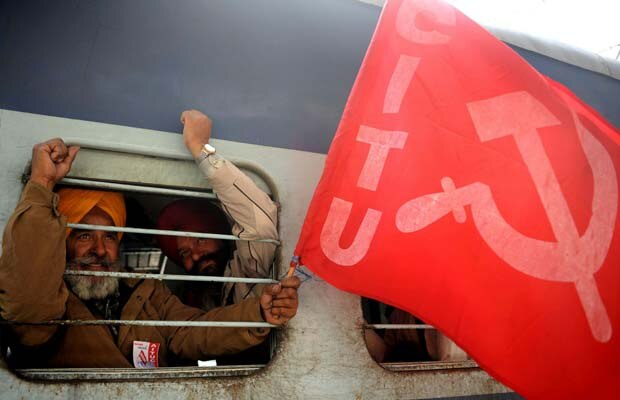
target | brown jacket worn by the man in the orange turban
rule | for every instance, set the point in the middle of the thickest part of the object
(32, 289)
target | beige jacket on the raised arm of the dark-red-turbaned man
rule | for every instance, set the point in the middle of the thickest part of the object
(255, 216)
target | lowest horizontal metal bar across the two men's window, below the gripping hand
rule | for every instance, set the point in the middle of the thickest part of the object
(194, 324)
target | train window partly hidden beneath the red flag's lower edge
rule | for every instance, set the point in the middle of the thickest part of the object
(399, 341)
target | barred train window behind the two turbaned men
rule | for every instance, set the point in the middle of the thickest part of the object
(143, 259)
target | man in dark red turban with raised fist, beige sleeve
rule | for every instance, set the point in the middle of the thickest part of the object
(252, 213)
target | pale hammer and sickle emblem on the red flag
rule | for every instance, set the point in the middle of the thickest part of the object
(572, 258)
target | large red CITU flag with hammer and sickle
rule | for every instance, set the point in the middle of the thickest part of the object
(469, 190)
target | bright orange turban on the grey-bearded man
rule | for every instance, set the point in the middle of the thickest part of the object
(76, 203)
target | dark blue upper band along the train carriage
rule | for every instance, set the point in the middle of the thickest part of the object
(273, 73)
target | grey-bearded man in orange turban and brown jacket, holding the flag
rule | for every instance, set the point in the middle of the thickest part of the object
(37, 248)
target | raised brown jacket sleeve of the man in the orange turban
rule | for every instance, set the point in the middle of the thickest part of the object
(32, 265)
